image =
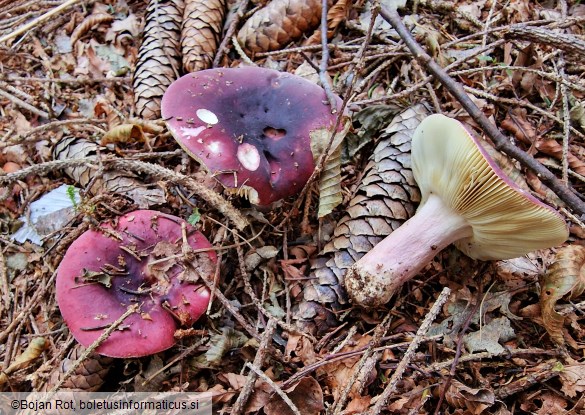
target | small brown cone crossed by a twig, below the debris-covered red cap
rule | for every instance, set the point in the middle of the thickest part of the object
(88, 377)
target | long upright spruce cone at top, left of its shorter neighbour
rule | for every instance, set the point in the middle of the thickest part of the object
(159, 59)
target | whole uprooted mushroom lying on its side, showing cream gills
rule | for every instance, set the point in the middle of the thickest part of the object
(466, 200)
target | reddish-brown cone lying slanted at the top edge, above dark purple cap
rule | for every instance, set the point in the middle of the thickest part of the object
(279, 23)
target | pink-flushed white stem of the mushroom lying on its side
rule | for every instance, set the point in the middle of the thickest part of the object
(374, 279)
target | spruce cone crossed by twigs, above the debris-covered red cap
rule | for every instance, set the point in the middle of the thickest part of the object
(121, 182)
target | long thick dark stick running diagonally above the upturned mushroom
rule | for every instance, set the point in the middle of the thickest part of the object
(500, 140)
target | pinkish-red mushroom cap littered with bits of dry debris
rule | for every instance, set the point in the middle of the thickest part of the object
(106, 271)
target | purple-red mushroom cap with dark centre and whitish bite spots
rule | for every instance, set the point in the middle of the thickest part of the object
(250, 127)
